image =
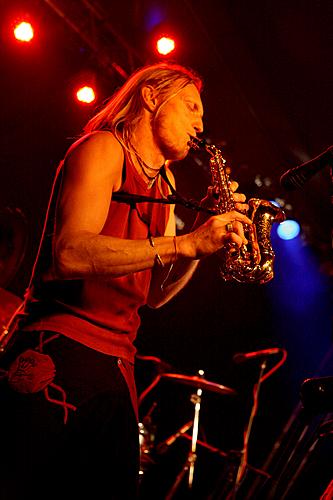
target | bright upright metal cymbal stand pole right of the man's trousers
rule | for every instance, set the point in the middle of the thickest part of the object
(191, 457)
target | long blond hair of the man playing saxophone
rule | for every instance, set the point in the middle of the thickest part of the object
(123, 110)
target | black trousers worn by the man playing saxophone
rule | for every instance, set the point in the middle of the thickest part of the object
(94, 455)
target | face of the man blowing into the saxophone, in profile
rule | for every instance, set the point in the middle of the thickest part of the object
(178, 119)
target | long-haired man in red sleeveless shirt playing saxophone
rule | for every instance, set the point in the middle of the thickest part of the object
(70, 400)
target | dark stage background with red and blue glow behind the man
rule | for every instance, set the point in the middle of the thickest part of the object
(267, 68)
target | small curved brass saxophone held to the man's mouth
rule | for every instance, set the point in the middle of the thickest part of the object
(252, 263)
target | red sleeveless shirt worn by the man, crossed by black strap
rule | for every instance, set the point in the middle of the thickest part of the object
(103, 313)
